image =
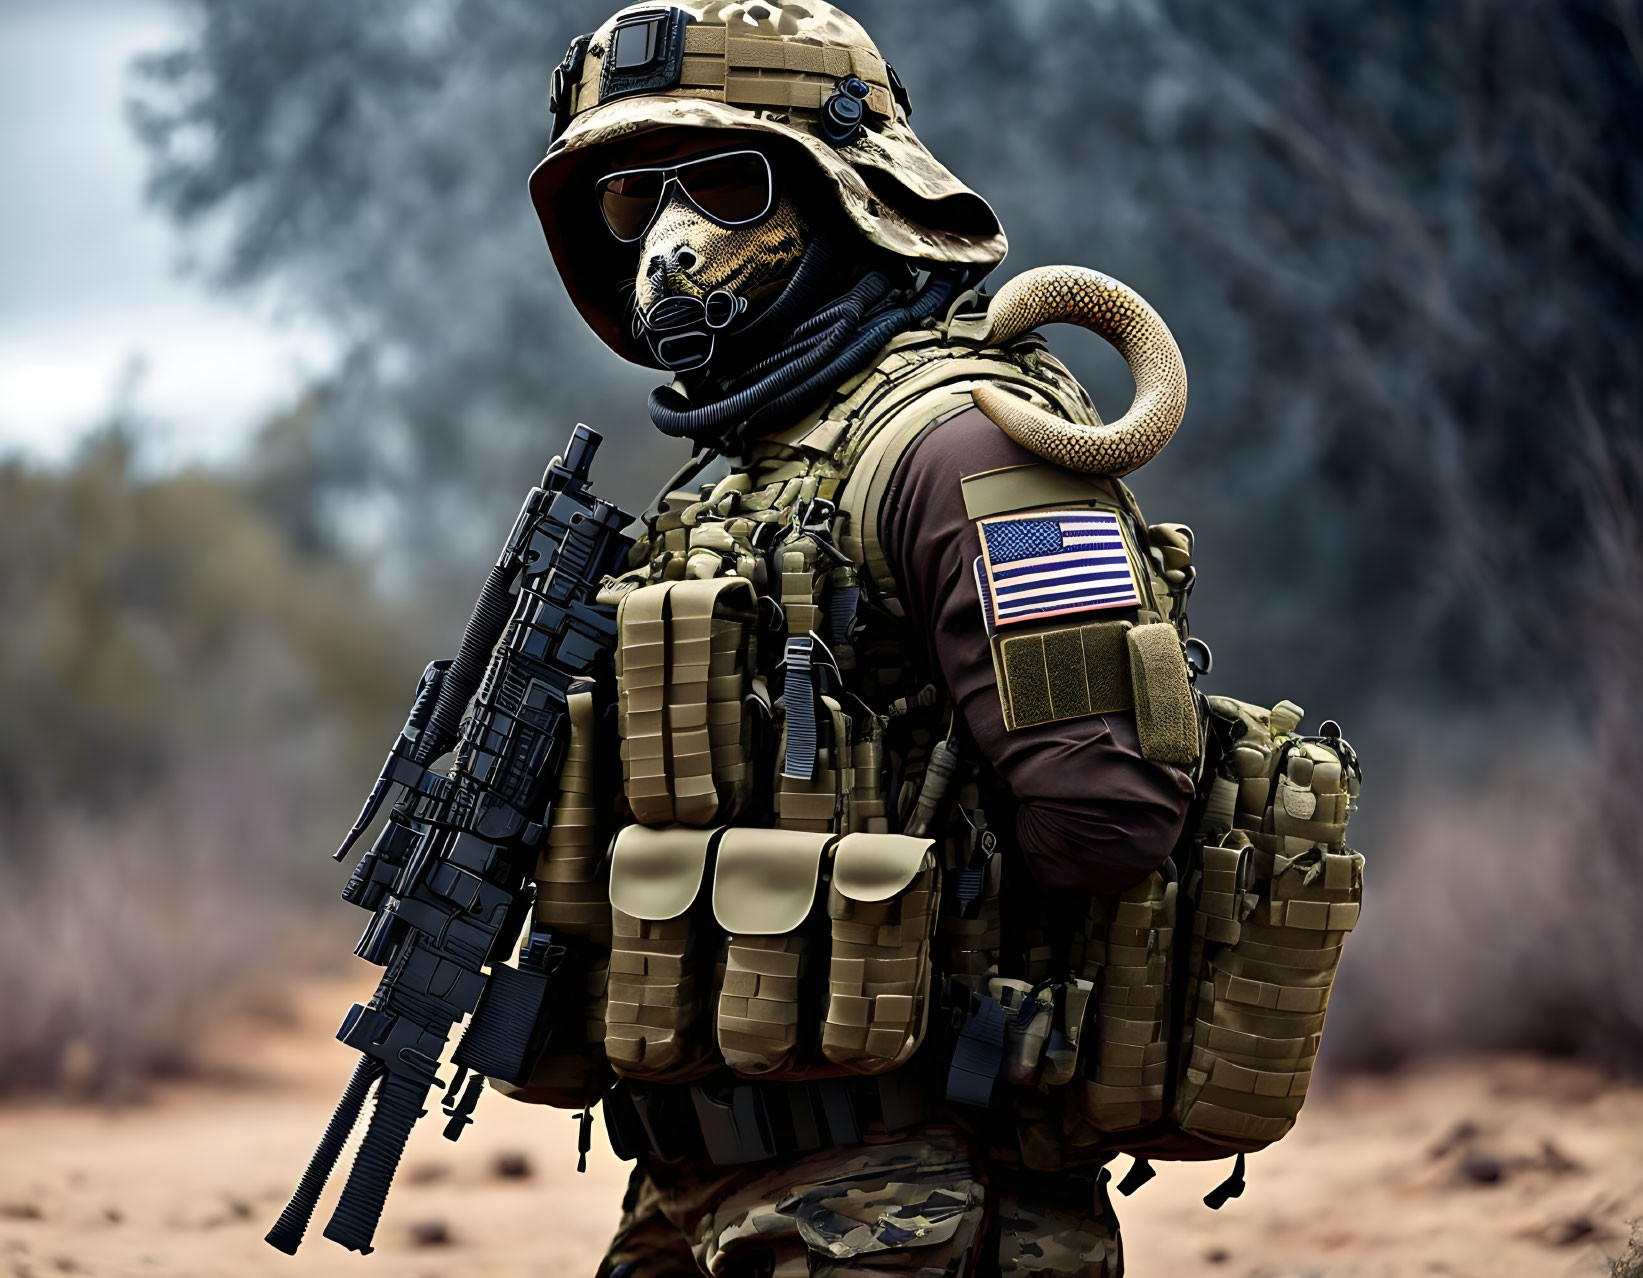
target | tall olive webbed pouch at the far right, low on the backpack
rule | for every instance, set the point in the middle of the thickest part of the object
(1266, 952)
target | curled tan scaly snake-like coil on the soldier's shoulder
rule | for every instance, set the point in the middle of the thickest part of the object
(1075, 295)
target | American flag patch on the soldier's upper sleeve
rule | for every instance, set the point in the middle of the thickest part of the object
(1056, 563)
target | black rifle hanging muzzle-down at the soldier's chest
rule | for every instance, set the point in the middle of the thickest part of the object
(449, 881)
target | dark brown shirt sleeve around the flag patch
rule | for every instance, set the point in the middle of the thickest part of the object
(1095, 816)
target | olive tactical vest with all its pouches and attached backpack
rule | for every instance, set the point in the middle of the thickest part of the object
(801, 875)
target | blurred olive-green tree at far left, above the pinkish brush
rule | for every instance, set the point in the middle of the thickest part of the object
(162, 627)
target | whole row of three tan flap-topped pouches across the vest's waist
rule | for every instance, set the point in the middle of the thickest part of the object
(766, 921)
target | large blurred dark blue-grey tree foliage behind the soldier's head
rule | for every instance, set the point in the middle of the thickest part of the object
(1399, 246)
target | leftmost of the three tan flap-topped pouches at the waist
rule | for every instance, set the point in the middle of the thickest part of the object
(663, 954)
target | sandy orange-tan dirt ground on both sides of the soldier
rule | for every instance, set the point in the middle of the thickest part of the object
(1484, 1167)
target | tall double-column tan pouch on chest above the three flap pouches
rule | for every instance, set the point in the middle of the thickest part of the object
(684, 661)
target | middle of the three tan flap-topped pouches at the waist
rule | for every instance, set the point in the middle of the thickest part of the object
(765, 898)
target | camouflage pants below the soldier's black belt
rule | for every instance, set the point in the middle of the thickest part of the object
(921, 1205)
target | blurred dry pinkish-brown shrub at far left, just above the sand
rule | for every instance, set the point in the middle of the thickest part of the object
(124, 937)
